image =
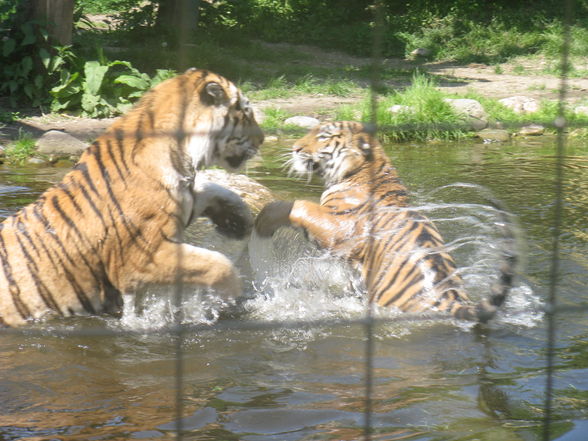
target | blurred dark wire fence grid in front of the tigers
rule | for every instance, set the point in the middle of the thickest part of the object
(179, 330)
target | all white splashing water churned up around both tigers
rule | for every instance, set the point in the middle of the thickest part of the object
(290, 279)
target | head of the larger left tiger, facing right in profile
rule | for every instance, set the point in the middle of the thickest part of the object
(209, 116)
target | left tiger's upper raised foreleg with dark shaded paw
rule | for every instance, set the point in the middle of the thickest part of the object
(225, 208)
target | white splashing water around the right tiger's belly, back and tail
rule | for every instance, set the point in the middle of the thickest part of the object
(295, 281)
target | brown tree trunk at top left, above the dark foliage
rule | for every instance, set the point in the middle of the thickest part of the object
(58, 16)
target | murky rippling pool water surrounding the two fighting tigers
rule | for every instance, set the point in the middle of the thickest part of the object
(433, 380)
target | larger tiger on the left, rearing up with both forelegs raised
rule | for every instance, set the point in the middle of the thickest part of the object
(115, 223)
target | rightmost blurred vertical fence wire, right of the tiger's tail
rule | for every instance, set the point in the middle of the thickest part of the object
(560, 124)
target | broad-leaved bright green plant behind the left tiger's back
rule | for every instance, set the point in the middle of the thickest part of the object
(103, 88)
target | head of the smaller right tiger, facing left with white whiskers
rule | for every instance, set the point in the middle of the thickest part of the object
(334, 150)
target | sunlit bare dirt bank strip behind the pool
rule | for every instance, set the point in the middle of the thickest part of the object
(455, 79)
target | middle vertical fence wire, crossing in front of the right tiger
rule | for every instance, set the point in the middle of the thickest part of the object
(373, 119)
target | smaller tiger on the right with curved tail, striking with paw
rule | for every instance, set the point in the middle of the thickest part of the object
(364, 217)
